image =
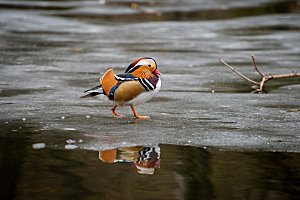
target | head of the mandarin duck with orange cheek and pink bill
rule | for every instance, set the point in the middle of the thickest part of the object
(143, 68)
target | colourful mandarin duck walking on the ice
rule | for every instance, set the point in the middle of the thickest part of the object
(140, 82)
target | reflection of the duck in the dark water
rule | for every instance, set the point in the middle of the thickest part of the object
(145, 159)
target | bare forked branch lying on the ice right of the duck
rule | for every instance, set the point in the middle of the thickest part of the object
(265, 78)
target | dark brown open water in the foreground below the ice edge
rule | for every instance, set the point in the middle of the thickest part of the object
(179, 172)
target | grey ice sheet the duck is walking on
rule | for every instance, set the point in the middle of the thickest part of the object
(51, 56)
